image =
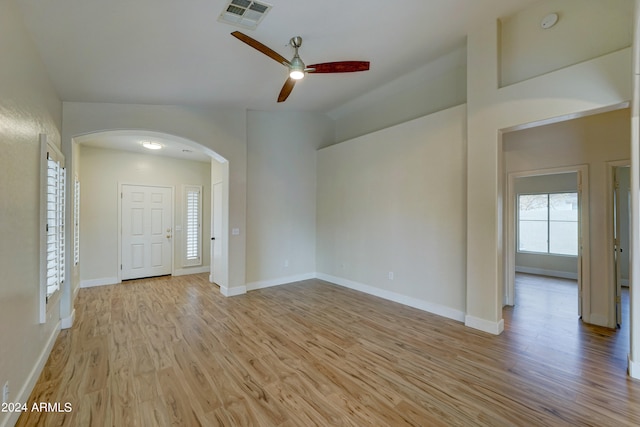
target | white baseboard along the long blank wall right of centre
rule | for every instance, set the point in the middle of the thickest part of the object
(427, 306)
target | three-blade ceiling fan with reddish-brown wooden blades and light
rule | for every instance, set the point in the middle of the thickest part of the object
(297, 68)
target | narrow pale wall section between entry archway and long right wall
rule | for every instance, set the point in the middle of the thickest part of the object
(281, 187)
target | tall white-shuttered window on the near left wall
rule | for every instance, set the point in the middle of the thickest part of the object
(53, 223)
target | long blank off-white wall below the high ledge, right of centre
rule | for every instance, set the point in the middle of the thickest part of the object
(394, 201)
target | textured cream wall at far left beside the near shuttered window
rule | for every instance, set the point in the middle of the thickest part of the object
(29, 106)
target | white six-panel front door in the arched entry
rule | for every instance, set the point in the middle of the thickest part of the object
(146, 231)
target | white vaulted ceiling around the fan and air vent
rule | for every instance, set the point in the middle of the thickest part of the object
(177, 53)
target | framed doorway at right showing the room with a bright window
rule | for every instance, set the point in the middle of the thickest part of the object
(547, 230)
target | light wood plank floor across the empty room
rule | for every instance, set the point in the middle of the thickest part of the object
(173, 351)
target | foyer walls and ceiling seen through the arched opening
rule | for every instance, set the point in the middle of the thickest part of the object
(108, 160)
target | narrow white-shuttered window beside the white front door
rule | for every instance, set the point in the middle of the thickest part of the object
(192, 225)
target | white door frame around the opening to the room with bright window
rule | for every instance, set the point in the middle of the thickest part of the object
(584, 282)
